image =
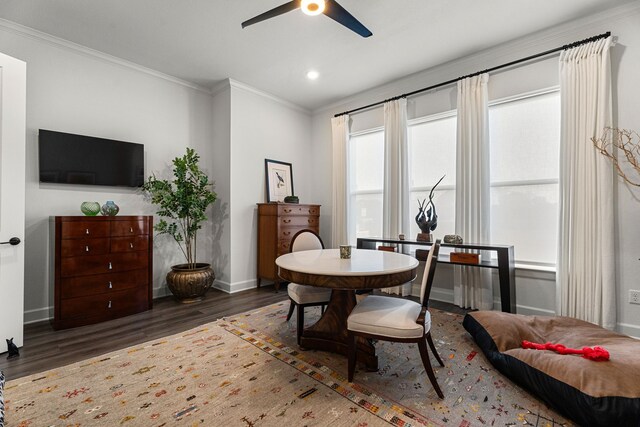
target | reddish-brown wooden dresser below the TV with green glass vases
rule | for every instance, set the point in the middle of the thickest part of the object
(102, 268)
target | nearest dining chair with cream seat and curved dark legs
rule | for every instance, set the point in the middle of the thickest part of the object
(399, 320)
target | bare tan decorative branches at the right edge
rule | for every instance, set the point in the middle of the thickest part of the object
(627, 144)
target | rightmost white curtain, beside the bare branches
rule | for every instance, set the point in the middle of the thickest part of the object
(585, 279)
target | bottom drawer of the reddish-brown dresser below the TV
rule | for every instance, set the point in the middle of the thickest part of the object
(110, 303)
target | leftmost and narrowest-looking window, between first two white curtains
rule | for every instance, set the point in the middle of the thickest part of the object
(366, 175)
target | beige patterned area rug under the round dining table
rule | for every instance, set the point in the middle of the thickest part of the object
(246, 370)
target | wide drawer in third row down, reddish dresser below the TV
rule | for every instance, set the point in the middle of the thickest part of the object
(99, 264)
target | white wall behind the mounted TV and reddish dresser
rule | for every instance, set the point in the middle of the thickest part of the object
(73, 90)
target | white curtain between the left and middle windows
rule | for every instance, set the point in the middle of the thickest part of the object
(395, 198)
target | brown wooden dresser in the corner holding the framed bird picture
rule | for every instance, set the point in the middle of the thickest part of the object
(277, 224)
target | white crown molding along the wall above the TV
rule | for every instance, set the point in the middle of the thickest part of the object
(21, 30)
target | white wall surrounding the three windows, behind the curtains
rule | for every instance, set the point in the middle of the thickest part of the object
(535, 290)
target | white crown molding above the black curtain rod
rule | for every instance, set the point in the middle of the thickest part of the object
(549, 38)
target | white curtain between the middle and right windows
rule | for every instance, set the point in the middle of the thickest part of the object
(472, 285)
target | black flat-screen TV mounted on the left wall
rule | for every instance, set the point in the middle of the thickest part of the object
(66, 158)
